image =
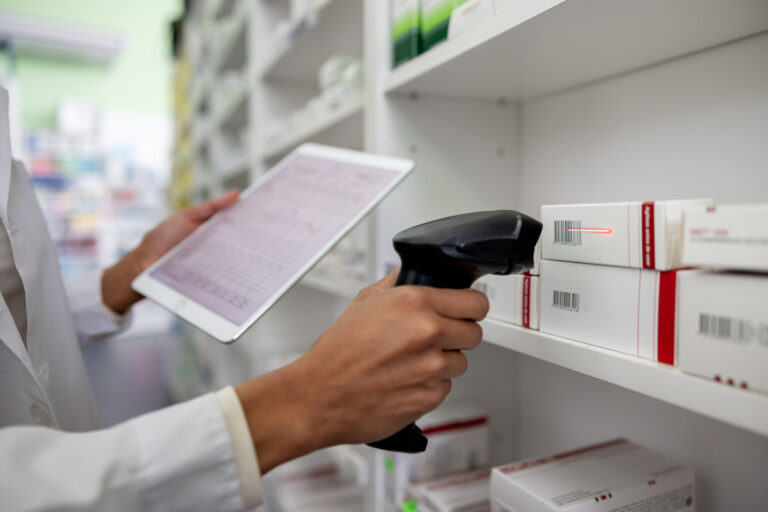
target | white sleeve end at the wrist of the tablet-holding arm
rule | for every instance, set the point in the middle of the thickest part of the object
(94, 321)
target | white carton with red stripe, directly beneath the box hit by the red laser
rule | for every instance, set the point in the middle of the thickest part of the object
(629, 310)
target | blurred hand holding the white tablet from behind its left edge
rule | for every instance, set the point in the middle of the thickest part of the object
(116, 290)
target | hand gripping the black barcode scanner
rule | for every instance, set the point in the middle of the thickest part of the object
(387, 360)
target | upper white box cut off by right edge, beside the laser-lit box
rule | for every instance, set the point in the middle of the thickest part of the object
(731, 237)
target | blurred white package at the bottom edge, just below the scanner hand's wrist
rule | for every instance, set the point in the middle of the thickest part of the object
(315, 483)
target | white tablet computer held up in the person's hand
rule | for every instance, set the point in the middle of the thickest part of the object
(233, 268)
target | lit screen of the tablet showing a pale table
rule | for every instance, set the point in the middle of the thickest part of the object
(244, 258)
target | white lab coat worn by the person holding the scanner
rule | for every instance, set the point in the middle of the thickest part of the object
(179, 458)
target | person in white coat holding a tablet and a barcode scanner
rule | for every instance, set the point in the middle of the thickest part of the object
(387, 360)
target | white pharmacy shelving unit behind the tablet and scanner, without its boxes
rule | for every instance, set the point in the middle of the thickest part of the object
(551, 101)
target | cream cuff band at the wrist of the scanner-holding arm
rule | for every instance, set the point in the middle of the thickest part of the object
(246, 461)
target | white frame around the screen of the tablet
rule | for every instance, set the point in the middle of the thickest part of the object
(218, 326)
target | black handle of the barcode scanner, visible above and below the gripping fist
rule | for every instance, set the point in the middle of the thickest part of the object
(410, 439)
